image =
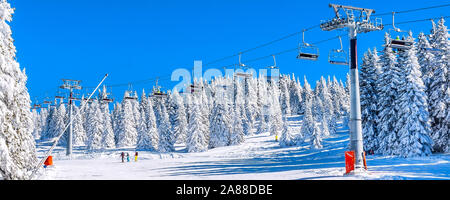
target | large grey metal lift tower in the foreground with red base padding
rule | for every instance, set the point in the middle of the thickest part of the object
(360, 23)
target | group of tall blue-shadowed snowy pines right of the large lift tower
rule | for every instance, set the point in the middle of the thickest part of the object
(405, 96)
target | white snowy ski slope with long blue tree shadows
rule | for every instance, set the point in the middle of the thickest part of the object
(260, 157)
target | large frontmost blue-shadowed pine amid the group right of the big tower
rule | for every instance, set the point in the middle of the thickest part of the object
(413, 118)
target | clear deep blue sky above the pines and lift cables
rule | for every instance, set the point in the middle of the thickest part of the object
(140, 39)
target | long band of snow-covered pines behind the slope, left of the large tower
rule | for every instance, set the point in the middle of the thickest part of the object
(219, 113)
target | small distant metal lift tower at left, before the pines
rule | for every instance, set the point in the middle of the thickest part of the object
(70, 85)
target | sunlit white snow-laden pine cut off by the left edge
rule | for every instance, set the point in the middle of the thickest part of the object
(17, 146)
